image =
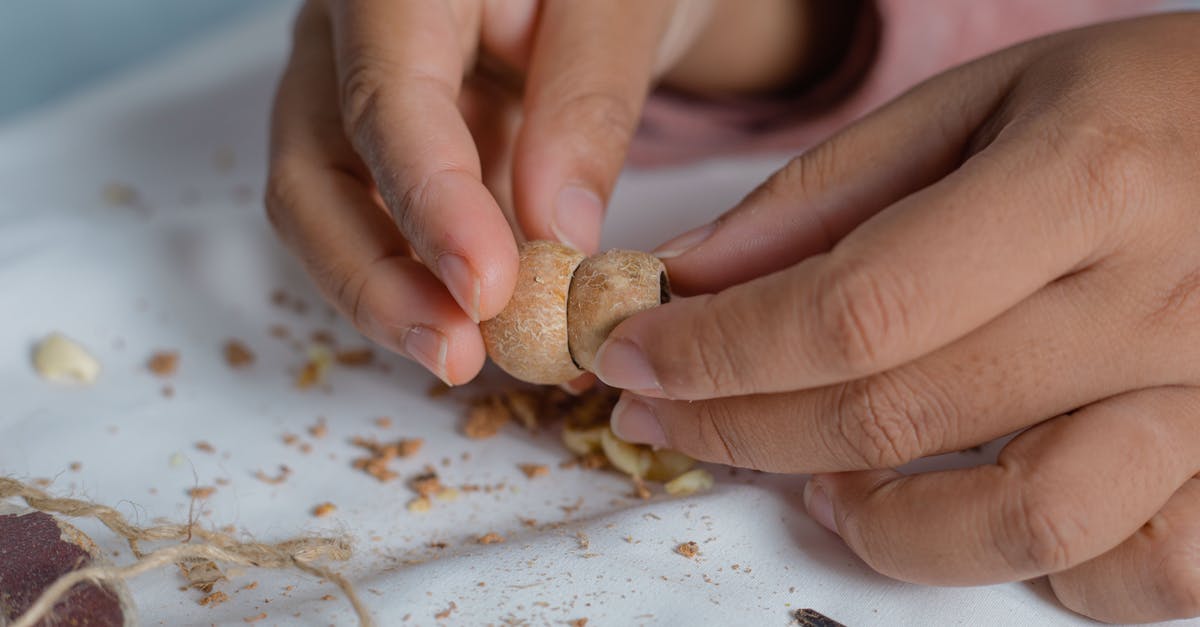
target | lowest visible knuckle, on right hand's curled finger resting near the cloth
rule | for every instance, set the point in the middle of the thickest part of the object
(1040, 533)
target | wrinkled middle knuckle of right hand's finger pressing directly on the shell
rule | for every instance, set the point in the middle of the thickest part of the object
(860, 314)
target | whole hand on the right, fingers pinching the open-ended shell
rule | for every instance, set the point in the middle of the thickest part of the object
(1013, 246)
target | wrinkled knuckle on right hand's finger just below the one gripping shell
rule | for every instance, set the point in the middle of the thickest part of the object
(878, 423)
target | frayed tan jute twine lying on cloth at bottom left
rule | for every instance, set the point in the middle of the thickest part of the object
(297, 554)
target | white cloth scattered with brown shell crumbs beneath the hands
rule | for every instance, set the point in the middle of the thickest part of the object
(197, 267)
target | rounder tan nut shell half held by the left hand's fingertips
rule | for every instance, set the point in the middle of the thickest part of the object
(530, 338)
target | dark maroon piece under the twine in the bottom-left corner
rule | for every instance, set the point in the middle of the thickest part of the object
(33, 556)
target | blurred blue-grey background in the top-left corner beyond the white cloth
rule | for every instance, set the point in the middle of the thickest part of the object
(51, 49)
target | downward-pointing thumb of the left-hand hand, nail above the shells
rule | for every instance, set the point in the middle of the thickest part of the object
(590, 74)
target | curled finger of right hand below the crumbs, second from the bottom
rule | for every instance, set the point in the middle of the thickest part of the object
(1059, 495)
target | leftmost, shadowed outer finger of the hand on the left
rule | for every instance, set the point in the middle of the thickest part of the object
(322, 208)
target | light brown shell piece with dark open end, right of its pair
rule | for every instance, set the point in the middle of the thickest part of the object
(607, 290)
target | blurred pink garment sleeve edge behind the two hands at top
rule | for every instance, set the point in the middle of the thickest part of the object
(897, 45)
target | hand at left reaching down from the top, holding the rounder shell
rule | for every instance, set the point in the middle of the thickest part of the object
(385, 135)
